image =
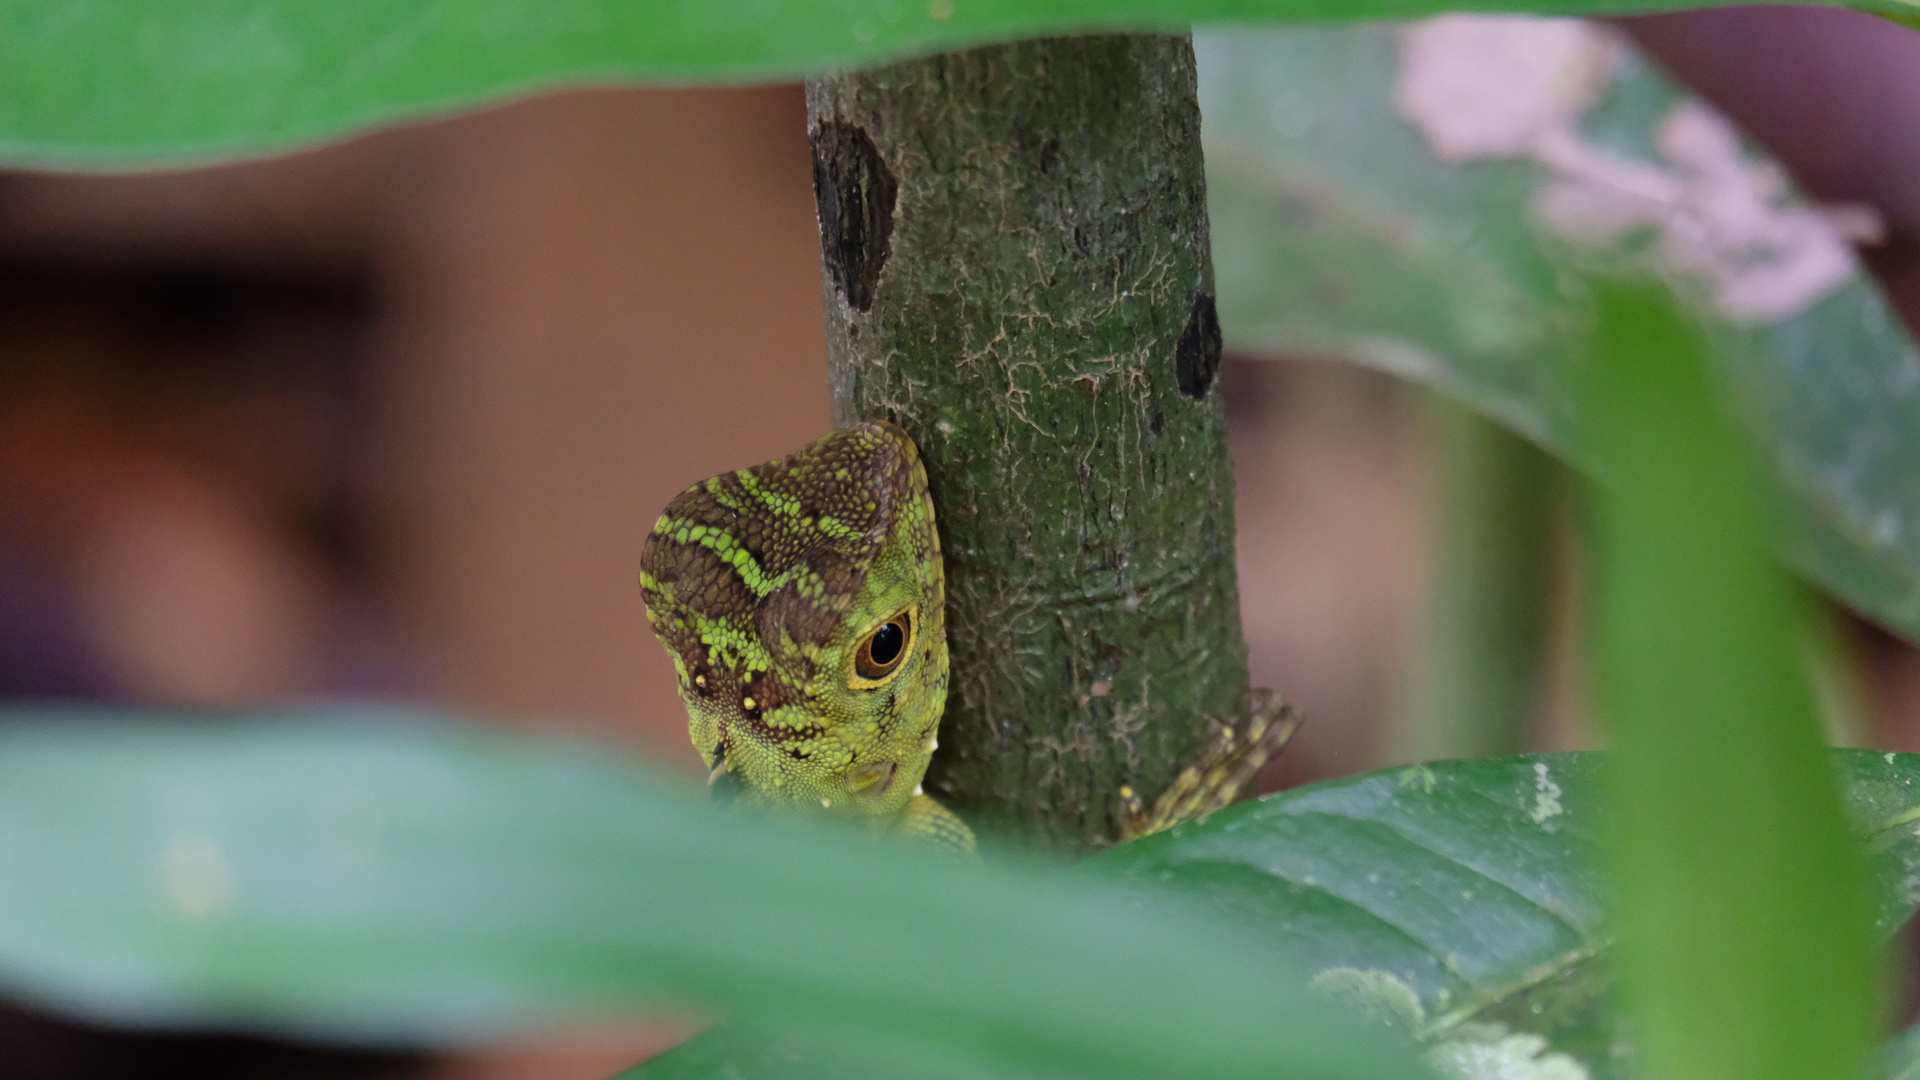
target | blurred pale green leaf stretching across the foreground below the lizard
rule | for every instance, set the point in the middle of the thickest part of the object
(385, 879)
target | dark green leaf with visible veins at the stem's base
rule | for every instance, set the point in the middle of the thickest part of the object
(1460, 900)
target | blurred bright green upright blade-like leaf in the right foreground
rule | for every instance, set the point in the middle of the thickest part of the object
(1739, 900)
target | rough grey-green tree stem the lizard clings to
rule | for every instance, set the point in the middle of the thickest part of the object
(1017, 272)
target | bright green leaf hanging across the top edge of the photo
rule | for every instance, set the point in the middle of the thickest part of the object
(101, 84)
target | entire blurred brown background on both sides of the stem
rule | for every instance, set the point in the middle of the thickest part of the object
(393, 420)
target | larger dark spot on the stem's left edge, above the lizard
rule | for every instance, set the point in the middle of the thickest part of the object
(855, 193)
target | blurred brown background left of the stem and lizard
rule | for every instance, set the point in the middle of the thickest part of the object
(393, 420)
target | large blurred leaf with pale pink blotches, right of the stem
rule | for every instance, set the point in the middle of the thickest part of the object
(1337, 232)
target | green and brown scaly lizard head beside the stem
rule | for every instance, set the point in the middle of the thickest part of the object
(804, 606)
